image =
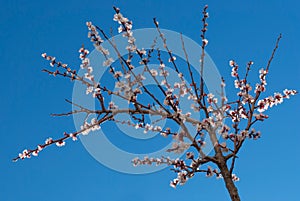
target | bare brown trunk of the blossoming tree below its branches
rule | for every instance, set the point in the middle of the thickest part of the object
(231, 188)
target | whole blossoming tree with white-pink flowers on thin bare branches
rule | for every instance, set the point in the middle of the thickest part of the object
(226, 124)
